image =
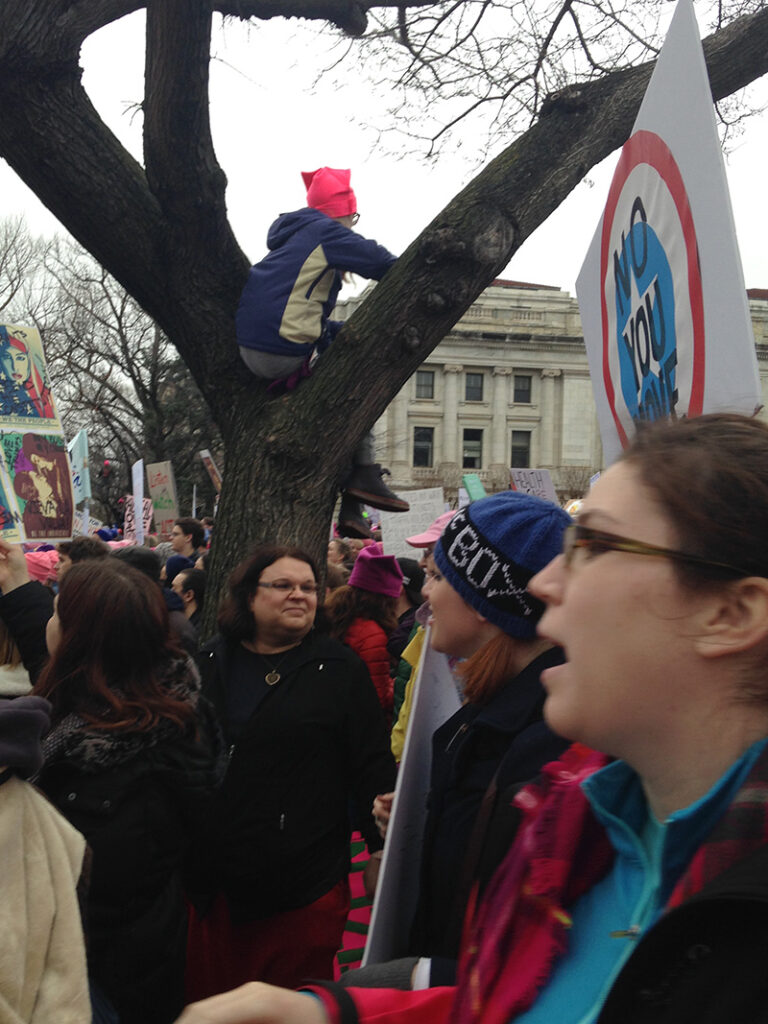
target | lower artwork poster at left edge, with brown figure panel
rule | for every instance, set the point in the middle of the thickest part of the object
(38, 468)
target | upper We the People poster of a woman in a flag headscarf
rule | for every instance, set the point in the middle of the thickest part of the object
(26, 399)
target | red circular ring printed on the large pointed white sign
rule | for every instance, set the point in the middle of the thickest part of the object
(647, 148)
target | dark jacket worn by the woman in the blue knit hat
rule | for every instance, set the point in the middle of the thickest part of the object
(505, 742)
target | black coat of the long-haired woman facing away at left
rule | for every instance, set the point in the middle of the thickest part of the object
(139, 816)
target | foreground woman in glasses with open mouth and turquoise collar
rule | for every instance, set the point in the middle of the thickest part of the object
(637, 888)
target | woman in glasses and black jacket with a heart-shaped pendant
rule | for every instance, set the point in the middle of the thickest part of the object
(308, 742)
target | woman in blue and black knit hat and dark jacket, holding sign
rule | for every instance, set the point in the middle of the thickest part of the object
(482, 613)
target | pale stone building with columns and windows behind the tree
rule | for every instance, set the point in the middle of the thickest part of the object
(508, 388)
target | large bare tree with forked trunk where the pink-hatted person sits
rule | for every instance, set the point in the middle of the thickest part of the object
(162, 233)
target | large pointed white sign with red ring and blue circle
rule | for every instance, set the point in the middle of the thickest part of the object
(662, 293)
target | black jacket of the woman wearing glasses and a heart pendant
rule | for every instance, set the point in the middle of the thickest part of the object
(316, 747)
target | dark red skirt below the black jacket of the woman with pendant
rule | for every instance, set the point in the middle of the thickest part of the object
(285, 950)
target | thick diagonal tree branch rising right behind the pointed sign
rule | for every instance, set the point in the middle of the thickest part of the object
(473, 240)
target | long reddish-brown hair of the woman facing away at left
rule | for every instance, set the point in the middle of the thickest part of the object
(114, 653)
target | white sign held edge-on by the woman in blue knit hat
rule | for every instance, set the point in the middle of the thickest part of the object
(436, 700)
